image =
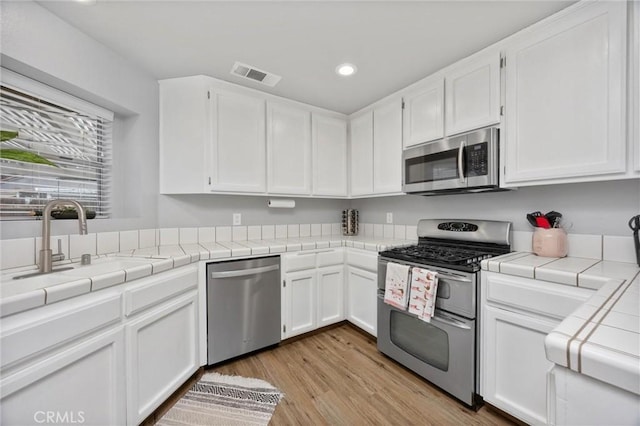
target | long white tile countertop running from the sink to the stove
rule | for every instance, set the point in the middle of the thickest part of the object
(118, 268)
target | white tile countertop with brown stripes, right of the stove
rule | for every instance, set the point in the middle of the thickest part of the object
(601, 339)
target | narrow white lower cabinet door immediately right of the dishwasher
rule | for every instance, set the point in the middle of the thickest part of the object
(301, 302)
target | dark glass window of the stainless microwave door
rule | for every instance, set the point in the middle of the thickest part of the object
(432, 167)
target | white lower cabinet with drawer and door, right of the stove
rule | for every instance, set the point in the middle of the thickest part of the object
(517, 314)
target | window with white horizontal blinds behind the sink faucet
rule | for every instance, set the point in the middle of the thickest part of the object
(53, 146)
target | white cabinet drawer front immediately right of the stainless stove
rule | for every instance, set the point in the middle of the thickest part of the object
(554, 300)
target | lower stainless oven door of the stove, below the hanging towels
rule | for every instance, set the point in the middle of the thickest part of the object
(442, 351)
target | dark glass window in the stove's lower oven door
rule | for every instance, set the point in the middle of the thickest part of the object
(421, 339)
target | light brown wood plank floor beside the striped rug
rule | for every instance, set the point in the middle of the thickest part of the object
(338, 377)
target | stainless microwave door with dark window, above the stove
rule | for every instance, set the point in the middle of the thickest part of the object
(434, 166)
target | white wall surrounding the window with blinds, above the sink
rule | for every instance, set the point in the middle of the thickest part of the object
(36, 43)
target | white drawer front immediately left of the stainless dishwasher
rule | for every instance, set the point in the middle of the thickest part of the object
(154, 290)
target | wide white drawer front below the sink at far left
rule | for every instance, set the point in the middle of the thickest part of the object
(66, 323)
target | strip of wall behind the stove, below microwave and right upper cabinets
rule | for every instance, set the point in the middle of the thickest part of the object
(592, 208)
